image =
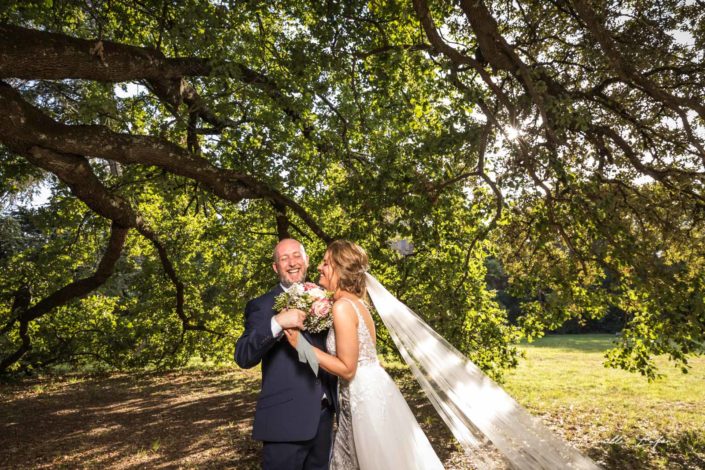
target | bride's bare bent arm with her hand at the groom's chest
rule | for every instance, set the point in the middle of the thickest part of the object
(344, 364)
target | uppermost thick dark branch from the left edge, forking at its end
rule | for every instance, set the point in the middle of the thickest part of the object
(32, 54)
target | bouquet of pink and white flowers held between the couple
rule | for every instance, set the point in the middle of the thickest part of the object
(312, 299)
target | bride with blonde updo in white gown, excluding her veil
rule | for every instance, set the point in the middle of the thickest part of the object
(376, 428)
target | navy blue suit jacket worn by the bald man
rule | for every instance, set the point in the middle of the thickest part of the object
(289, 404)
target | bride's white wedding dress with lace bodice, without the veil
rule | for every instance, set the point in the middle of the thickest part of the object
(376, 428)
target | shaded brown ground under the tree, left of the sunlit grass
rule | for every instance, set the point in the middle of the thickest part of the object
(182, 419)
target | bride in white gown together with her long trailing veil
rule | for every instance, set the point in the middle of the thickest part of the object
(376, 427)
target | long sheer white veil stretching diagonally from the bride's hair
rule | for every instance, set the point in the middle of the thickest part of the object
(473, 407)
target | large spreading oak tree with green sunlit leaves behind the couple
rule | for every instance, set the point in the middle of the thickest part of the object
(181, 139)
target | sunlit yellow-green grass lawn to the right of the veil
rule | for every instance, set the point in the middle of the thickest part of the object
(620, 418)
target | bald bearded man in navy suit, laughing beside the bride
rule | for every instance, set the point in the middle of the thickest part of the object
(294, 413)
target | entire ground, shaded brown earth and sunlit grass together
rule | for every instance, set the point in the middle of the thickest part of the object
(202, 418)
